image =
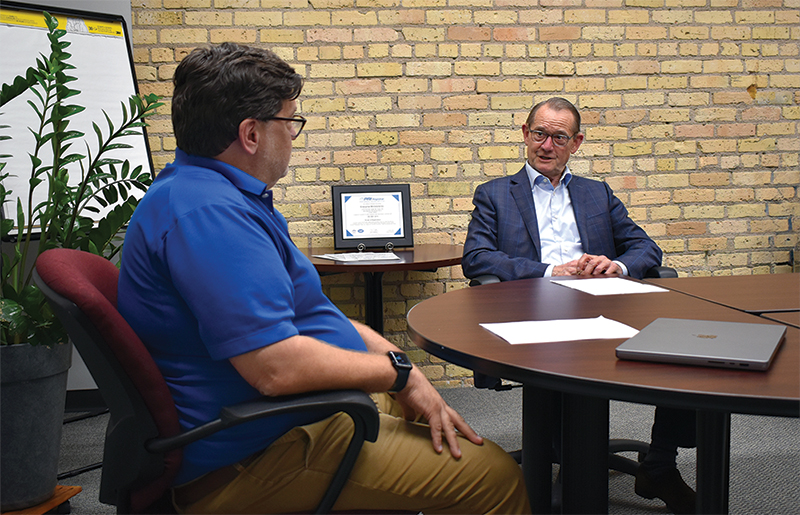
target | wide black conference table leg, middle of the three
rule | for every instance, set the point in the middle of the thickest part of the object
(584, 460)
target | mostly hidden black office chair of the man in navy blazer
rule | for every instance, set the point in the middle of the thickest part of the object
(615, 446)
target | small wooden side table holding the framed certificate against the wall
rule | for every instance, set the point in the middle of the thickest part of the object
(427, 257)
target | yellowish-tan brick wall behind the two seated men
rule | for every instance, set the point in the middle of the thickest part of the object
(690, 112)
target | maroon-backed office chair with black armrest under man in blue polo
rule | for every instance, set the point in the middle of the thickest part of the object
(143, 444)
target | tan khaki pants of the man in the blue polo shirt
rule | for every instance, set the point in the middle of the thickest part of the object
(399, 472)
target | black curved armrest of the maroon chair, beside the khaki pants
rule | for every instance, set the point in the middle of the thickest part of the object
(357, 404)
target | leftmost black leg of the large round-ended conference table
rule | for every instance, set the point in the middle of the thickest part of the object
(537, 444)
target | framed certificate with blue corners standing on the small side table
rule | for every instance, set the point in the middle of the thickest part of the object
(372, 216)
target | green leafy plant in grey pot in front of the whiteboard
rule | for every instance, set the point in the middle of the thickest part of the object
(64, 218)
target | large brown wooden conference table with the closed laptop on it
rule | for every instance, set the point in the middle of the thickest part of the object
(584, 375)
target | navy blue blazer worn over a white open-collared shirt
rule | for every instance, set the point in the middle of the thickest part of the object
(503, 235)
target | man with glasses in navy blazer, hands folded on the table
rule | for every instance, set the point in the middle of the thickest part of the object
(543, 222)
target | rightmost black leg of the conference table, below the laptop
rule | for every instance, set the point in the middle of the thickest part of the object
(713, 461)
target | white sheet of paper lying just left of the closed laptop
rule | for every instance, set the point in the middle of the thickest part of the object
(544, 331)
